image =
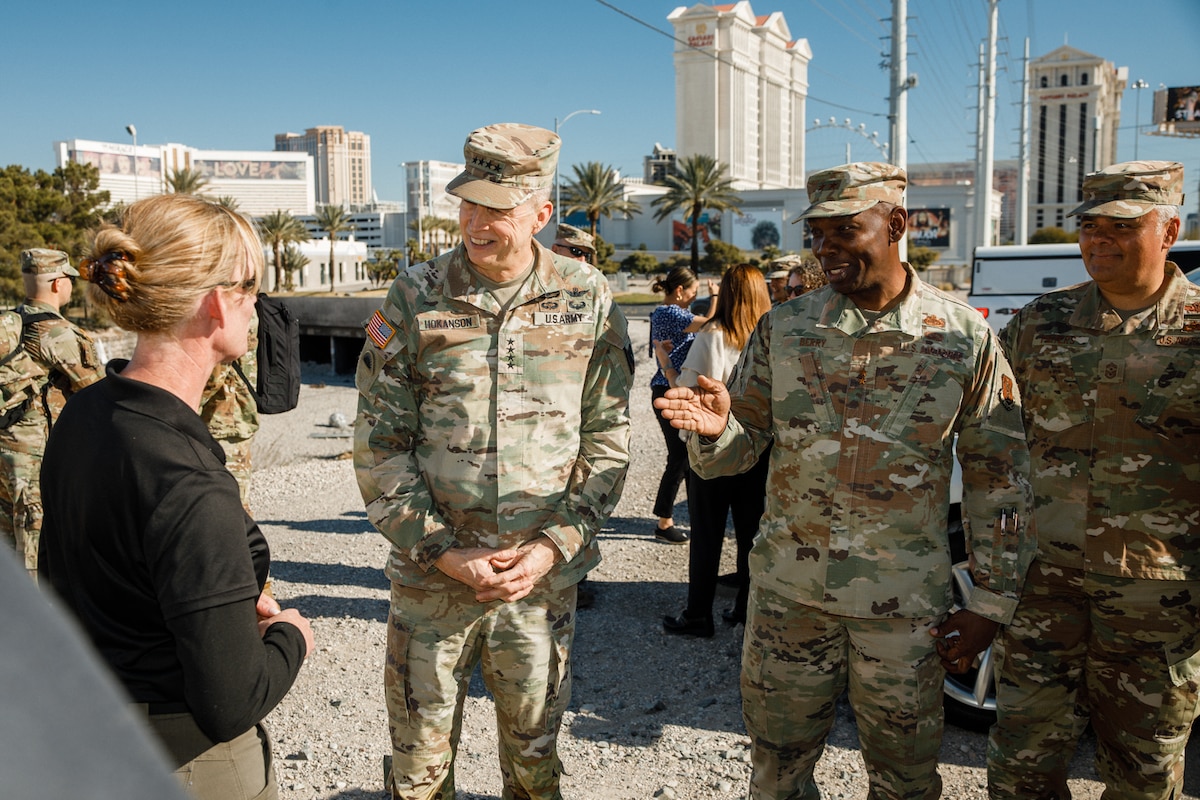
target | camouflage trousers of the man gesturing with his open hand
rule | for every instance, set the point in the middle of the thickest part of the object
(796, 664)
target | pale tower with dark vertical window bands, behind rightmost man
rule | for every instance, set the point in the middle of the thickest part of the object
(1075, 116)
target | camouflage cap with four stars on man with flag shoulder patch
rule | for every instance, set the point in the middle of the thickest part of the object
(506, 164)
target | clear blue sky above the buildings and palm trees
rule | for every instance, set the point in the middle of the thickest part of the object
(419, 76)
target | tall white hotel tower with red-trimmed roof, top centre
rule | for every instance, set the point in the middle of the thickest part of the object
(741, 91)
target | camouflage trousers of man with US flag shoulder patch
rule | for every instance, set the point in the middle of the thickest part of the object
(435, 640)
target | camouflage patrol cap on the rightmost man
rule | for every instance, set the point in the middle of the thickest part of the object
(1132, 189)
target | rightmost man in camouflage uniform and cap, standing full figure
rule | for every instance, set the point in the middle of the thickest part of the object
(1109, 625)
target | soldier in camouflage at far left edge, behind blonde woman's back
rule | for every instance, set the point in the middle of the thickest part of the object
(68, 360)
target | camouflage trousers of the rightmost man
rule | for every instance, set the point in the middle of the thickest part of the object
(1120, 652)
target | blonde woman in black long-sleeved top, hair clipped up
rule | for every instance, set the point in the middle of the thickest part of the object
(146, 538)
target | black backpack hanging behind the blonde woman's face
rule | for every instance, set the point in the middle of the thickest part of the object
(279, 358)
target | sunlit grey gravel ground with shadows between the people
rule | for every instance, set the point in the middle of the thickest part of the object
(651, 717)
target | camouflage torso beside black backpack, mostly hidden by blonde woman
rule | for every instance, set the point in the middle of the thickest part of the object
(231, 413)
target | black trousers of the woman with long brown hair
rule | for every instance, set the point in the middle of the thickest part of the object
(710, 502)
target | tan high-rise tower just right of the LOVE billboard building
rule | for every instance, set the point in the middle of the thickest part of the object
(341, 160)
